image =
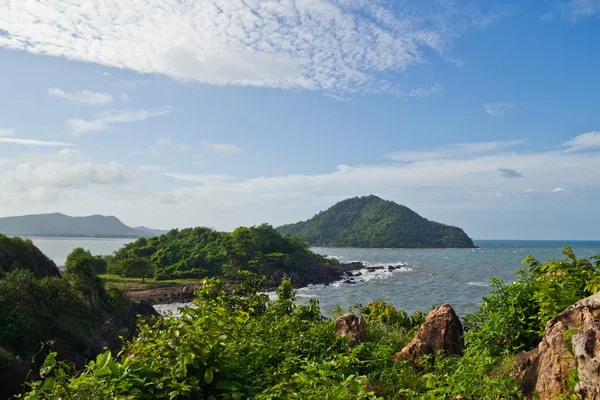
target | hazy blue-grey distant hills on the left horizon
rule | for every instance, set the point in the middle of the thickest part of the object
(63, 225)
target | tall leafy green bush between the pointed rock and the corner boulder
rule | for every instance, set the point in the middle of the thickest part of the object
(513, 317)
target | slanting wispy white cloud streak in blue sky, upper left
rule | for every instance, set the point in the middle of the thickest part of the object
(105, 120)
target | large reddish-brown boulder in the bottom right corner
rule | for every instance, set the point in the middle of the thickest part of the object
(548, 374)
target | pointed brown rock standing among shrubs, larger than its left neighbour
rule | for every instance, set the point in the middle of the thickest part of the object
(442, 330)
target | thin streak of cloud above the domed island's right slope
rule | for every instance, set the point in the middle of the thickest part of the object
(458, 150)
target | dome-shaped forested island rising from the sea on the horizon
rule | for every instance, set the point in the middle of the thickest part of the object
(373, 222)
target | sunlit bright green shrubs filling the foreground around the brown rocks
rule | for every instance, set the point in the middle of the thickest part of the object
(241, 345)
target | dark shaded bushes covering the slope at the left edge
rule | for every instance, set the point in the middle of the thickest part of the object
(38, 305)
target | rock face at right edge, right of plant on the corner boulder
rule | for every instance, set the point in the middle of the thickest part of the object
(586, 347)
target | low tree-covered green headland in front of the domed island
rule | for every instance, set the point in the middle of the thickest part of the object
(204, 252)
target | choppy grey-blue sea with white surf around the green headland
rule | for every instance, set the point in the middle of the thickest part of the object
(427, 277)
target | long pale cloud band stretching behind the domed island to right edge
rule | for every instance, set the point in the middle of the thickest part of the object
(464, 183)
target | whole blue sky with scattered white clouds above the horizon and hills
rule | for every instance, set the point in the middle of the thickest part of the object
(223, 113)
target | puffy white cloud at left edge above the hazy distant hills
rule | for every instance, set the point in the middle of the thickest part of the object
(45, 177)
